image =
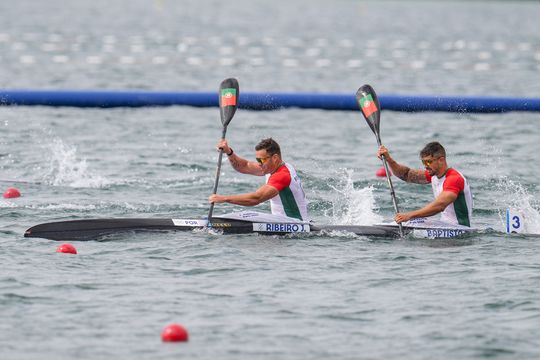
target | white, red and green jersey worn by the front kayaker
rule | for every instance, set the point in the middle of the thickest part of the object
(291, 200)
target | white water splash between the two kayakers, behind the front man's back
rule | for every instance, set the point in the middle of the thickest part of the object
(353, 206)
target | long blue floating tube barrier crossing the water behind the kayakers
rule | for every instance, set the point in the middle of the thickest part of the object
(264, 101)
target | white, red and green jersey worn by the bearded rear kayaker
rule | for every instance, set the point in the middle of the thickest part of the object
(460, 211)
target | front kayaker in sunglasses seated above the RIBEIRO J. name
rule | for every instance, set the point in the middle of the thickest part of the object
(283, 186)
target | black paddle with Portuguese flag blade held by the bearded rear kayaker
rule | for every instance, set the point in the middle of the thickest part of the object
(369, 104)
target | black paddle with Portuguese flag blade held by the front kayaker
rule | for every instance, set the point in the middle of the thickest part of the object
(228, 100)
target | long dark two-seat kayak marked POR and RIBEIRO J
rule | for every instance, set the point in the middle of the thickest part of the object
(243, 222)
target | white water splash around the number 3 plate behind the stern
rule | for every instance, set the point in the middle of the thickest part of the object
(516, 196)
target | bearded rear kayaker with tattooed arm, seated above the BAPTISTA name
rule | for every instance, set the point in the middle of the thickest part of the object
(452, 194)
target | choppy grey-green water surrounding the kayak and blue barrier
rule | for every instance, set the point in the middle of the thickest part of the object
(334, 296)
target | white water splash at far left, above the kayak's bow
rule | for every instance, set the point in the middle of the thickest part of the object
(67, 170)
